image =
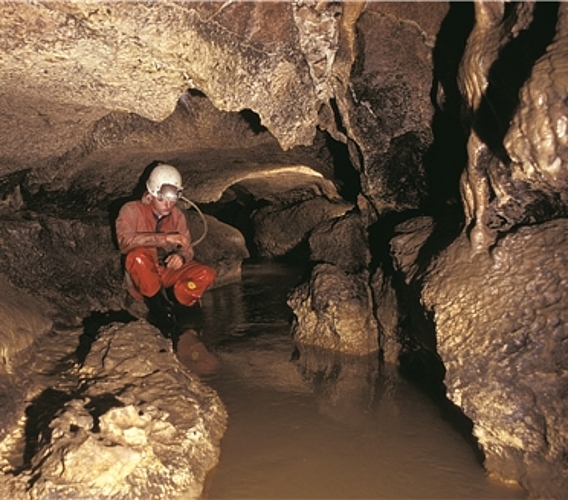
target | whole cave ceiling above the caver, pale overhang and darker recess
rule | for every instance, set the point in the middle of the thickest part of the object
(110, 87)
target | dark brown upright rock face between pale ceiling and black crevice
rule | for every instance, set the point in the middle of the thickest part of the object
(389, 108)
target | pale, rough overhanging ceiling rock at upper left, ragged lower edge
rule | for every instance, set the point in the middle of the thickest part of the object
(100, 55)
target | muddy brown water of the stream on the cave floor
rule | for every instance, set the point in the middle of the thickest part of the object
(306, 427)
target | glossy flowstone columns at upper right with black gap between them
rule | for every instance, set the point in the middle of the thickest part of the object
(516, 172)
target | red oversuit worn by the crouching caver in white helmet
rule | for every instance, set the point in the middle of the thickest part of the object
(140, 234)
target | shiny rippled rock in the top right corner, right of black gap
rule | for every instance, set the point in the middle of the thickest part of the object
(539, 153)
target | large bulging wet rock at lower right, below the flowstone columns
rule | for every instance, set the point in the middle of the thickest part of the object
(502, 335)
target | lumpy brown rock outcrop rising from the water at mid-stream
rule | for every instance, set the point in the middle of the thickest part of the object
(333, 310)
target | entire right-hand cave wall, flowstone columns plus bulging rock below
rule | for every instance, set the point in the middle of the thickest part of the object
(499, 304)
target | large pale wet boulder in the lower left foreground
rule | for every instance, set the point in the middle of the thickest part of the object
(121, 424)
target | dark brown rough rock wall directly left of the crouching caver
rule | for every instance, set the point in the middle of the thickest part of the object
(76, 268)
